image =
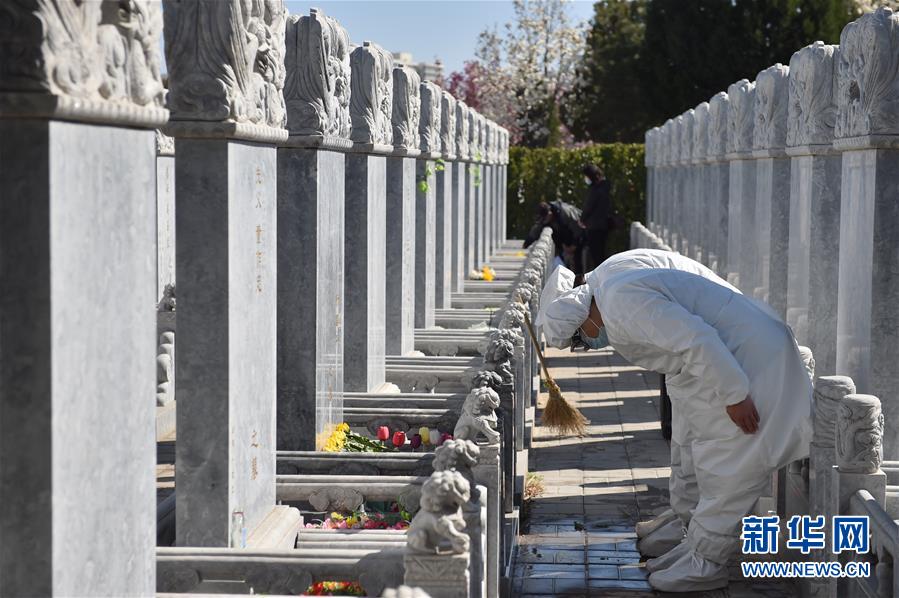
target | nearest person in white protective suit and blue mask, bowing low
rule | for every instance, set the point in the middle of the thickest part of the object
(741, 397)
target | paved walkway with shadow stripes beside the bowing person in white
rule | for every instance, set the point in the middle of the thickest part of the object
(580, 538)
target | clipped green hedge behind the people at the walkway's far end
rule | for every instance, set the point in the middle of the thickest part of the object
(537, 175)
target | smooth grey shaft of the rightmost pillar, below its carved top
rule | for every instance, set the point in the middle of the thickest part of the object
(867, 337)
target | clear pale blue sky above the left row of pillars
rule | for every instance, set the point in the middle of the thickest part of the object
(428, 29)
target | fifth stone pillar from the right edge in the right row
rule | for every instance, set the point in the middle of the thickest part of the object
(719, 175)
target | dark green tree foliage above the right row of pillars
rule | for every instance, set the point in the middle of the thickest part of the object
(647, 60)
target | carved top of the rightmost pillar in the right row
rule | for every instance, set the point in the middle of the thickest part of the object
(868, 100)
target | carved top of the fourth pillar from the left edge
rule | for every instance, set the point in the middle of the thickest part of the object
(371, 96)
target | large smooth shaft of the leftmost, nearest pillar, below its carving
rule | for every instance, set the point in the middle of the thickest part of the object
(77, 266)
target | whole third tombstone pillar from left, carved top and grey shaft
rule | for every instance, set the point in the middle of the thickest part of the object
(311, 171)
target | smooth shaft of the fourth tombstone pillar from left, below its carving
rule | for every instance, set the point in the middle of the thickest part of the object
(364, 272)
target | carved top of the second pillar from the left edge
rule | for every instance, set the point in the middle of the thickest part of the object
(226, 61)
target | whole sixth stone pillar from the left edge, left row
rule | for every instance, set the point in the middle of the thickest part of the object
(426, 205)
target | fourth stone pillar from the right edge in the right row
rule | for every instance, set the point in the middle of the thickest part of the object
(742, 244)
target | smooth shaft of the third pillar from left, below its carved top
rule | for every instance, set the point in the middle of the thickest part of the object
(310, 290)
